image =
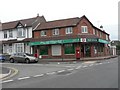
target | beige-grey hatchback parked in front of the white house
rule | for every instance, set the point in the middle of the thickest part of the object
(22, 57)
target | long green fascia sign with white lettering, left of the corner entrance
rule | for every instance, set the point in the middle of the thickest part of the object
(54, 42)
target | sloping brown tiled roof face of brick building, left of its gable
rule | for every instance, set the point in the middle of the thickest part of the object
(59, 23)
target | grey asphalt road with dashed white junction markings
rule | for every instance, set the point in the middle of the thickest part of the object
(81, 75)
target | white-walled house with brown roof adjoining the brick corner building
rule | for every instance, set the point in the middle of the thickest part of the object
(14, 34)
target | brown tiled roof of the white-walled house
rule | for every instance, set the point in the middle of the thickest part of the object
(24, 22)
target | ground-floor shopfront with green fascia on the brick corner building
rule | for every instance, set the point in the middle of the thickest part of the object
(89, 47)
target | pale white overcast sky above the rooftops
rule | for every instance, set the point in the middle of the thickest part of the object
(99, 12)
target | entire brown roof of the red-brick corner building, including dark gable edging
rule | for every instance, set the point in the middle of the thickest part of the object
(64, 23)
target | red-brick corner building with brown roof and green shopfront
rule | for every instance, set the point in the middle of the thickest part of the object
(67, 38)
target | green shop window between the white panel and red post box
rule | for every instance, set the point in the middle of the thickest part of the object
(69, 49)
